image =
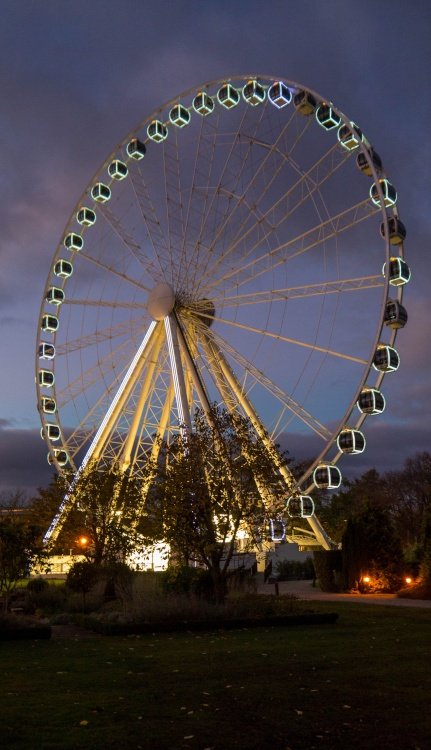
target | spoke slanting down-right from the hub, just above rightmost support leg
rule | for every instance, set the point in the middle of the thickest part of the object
(259, 377)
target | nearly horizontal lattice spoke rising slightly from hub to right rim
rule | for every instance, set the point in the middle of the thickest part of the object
(357, 284)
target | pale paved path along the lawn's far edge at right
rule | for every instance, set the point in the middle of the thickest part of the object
(305, 590)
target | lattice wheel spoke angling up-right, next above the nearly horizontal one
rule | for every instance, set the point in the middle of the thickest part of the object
(296, 246)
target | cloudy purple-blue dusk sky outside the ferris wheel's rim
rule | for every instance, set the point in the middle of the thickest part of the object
(78, 76)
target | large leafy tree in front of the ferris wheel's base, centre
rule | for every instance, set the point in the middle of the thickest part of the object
(213, 484)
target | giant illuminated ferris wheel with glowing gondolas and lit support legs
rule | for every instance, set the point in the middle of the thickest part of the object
(241, 246)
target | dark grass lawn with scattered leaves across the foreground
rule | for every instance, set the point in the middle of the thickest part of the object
(362, 683)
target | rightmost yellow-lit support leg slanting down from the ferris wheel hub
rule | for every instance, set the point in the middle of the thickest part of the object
(249, 410)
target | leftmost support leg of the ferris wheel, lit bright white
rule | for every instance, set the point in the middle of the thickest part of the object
(102, 433)
